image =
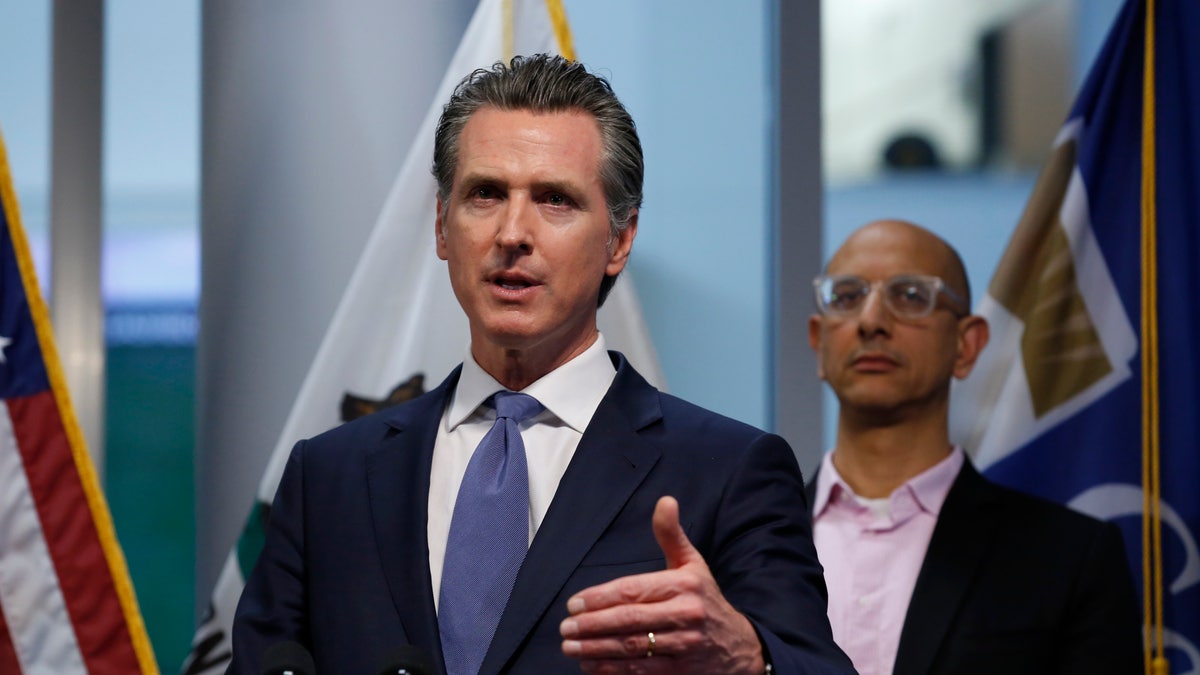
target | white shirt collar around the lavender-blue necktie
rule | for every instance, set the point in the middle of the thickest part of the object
(572, 392)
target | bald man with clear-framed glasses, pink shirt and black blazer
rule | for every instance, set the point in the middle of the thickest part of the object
(932, 569)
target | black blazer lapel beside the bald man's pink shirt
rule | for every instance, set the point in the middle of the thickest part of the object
(958, 547)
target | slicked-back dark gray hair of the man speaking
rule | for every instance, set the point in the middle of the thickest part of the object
(548, 83)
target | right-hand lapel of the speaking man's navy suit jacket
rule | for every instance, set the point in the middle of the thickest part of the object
(610, 455)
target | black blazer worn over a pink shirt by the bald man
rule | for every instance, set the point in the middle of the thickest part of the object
(1017, 584)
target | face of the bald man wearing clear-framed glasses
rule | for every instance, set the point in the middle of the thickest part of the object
(878, 363)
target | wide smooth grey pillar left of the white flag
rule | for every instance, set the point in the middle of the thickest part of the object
(308, 112)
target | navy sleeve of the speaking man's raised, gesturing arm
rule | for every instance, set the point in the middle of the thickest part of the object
(766, 564)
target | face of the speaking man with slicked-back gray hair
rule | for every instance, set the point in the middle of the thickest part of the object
(526, 231)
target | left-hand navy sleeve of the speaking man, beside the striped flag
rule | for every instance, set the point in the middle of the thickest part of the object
(273, 605)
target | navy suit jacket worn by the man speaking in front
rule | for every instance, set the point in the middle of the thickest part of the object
(345, 569)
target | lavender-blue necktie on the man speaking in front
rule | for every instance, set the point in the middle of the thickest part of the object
(489, 537)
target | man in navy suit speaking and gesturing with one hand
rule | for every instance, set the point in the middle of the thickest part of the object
(663, 537)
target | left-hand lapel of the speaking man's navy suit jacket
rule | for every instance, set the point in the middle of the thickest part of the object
(399, 489)
